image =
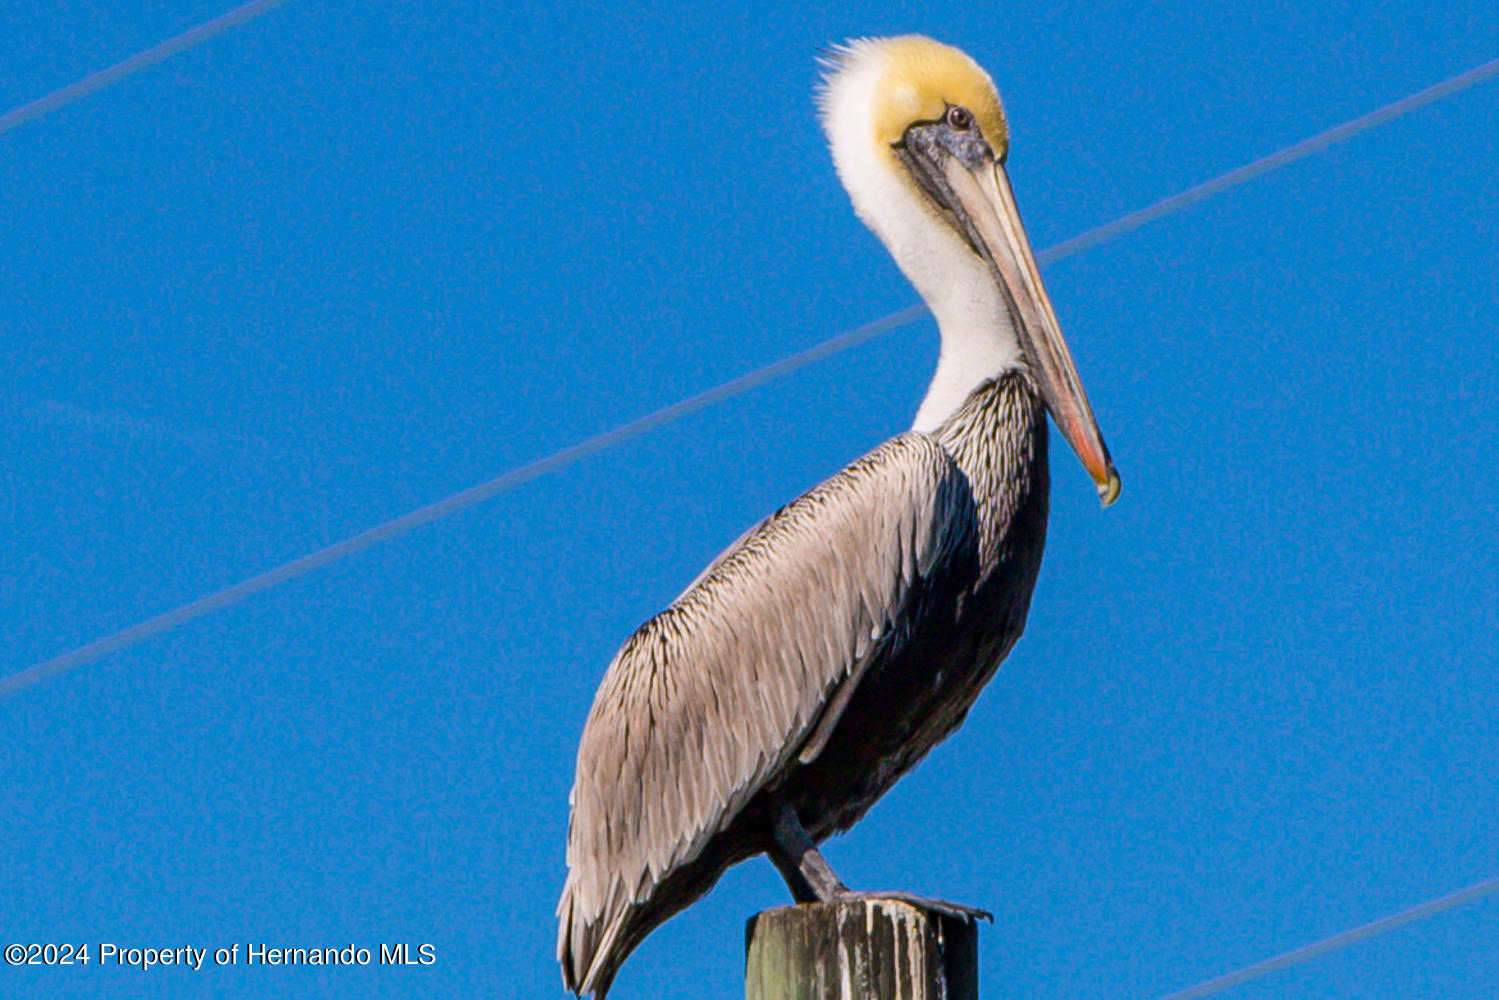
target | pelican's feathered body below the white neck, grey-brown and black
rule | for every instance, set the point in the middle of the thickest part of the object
(888, 594)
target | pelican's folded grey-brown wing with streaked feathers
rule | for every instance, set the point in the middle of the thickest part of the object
(711, 699)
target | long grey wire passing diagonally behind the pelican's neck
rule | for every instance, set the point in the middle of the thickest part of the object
(735, 388)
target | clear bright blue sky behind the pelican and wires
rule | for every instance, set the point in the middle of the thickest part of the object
(350, 259)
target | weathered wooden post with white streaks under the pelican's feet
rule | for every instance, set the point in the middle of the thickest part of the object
(864, 950)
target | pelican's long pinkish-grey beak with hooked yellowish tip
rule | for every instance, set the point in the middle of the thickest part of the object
(986, 199)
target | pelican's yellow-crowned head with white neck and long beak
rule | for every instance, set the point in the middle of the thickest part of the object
(920, 140)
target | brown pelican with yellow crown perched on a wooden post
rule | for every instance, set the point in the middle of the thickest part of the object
(839, 641)
